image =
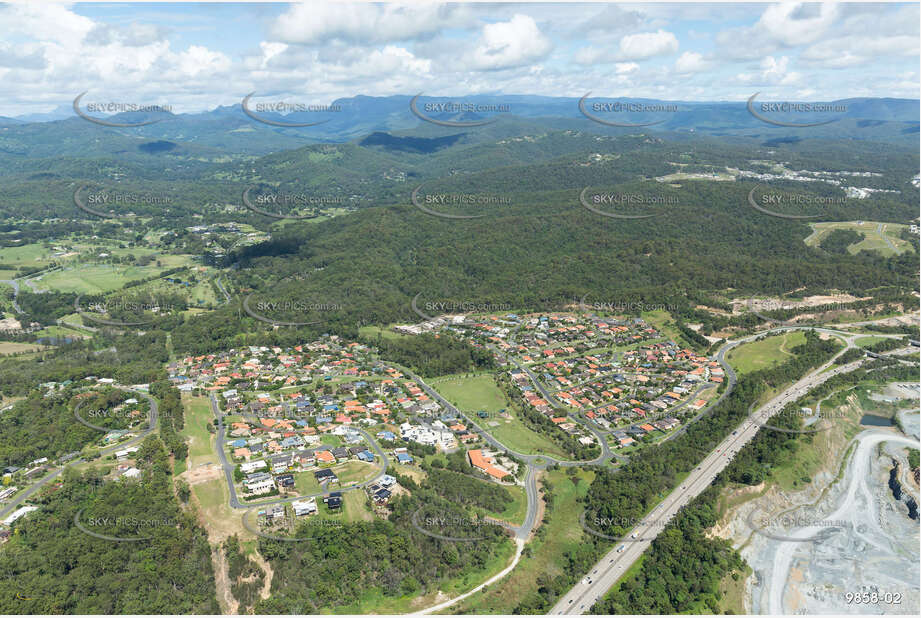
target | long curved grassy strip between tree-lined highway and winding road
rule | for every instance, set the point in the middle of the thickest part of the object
(562, 532)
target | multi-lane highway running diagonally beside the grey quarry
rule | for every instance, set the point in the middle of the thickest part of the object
(605, 572)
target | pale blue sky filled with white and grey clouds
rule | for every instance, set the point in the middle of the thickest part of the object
(195, 57)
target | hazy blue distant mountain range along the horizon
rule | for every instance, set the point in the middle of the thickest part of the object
(229, 128)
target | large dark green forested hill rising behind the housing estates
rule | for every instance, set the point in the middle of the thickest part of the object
(536, 246)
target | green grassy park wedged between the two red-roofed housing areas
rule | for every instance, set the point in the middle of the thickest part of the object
(474, 393)
